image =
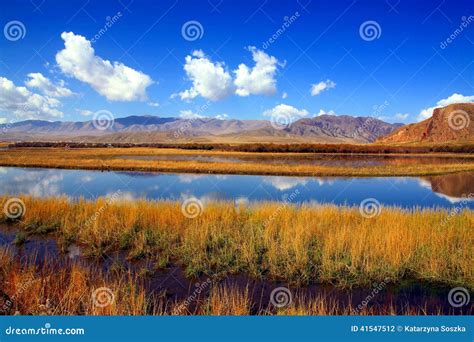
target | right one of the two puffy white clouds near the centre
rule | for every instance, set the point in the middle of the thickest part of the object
(259, 80)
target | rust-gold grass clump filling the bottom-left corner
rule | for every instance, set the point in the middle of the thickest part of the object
(52, 290)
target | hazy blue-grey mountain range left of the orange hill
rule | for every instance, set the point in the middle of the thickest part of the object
(325, 128)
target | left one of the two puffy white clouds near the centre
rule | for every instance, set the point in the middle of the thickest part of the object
(210, 80)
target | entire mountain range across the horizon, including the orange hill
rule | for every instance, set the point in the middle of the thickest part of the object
(453, 123)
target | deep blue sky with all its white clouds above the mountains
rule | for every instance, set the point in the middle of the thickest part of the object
(323, 60)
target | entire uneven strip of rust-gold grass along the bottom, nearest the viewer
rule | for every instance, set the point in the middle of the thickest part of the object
(48, 289)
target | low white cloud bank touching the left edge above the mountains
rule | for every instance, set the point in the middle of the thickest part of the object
(25, 104)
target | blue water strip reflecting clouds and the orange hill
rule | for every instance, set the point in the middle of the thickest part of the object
(443, 191)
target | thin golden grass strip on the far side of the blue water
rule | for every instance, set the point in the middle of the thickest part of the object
(110, 159)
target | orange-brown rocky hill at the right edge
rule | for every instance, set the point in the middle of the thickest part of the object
(453, 123)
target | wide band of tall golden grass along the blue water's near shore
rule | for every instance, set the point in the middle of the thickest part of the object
(301, 244)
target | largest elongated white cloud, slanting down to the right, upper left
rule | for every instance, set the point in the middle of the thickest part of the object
(114, 80)
